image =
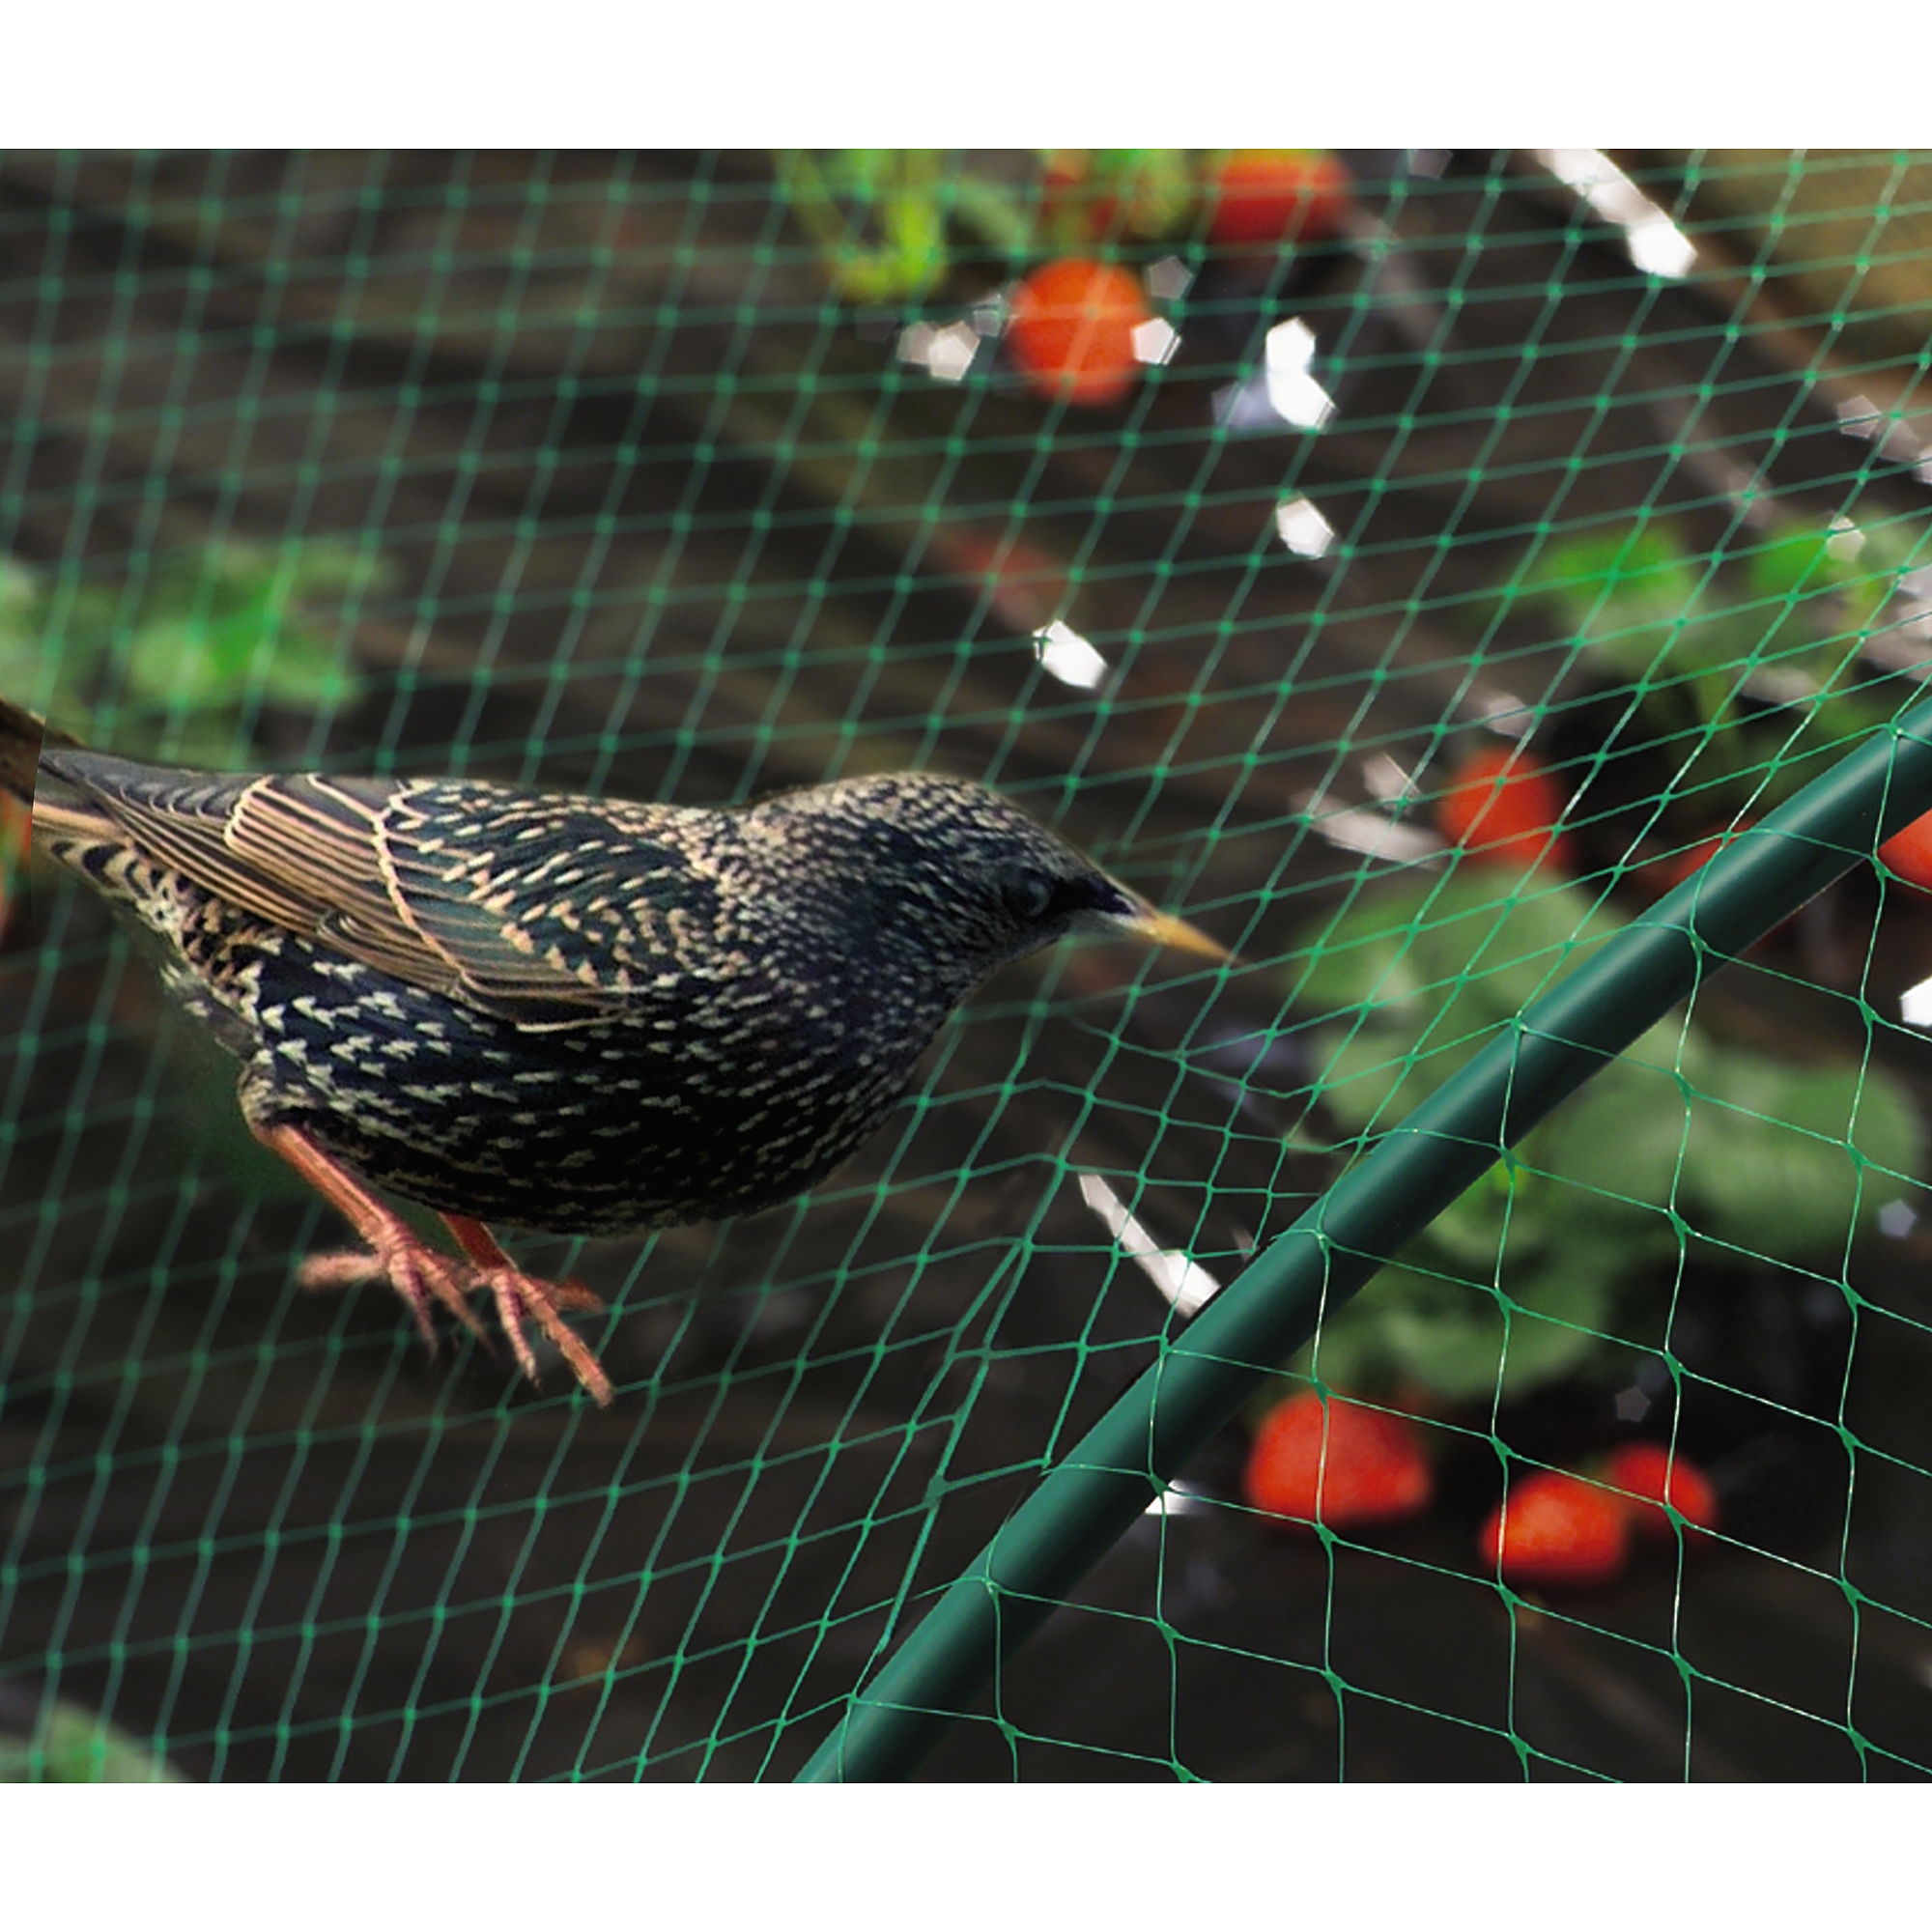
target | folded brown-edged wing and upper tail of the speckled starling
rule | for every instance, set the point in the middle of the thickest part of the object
(376, 870)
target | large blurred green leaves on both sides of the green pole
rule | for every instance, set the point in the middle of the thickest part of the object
(1682, 1137)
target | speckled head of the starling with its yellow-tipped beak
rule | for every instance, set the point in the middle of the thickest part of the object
(959, 872)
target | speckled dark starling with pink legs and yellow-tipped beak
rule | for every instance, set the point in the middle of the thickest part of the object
(577, 1015)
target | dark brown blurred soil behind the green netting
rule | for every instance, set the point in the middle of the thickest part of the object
(666, 521)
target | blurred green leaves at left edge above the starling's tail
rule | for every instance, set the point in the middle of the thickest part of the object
(179, 668)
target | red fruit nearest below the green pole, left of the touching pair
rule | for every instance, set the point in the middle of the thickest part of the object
(1336, 1462)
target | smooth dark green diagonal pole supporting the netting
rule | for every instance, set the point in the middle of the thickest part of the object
(1272, 1307)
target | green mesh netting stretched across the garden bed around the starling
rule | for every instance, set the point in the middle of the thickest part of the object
(1485, 590)
